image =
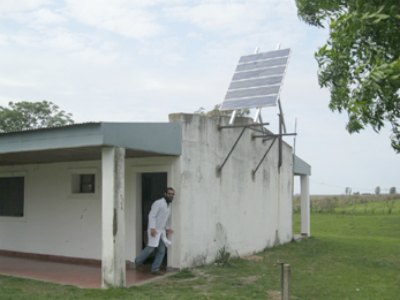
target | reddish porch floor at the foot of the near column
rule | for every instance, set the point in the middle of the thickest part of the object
(84, 276)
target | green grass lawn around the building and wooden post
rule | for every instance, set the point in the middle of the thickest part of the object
(350, 256)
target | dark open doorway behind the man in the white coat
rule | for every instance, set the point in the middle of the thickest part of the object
(153, 187)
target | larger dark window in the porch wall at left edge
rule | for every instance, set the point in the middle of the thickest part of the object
(11, 196)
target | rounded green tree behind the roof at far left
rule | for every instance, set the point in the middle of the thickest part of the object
(31, 115)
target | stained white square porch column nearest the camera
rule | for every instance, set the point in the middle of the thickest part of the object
(113, 217)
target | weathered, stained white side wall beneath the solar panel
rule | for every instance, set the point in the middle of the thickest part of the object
(235, 210)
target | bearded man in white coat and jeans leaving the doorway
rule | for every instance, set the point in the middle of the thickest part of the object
(158, 228)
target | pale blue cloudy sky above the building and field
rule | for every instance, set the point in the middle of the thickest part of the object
(140, 60)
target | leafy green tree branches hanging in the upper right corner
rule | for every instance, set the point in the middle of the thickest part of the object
(360, 63)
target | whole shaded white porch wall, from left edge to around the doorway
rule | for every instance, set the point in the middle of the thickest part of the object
(57, 222)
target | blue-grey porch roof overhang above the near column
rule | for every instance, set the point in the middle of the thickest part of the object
(84, 142)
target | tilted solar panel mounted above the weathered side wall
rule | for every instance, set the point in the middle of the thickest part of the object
(257, 80)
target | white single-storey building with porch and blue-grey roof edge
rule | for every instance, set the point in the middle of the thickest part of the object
(83, 191)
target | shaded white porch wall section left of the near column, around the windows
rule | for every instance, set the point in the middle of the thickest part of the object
(55, 221)
